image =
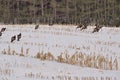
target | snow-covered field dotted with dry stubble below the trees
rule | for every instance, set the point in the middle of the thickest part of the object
(59, 52)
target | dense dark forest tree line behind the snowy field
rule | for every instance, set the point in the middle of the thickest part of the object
(105, 12)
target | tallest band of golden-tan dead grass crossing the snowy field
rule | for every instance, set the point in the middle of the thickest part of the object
(78, 58)
